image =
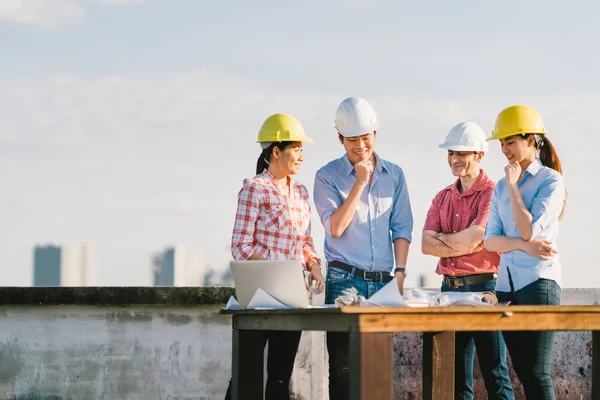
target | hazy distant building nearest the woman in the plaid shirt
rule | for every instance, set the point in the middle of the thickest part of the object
(178, 266)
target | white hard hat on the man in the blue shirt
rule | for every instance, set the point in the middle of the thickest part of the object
(355, 116)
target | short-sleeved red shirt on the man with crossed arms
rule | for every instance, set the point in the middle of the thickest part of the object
(452, 212)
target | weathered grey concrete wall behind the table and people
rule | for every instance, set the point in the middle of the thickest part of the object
(179, 347)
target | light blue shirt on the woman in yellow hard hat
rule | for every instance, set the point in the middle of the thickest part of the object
(543, 193)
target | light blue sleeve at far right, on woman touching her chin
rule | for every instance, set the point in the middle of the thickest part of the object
(547, 204)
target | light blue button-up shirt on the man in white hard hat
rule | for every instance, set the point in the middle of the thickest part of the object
(383, 213)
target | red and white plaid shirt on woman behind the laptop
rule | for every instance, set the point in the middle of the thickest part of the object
(271, 224)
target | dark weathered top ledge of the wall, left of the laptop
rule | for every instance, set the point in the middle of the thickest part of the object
(117, 296)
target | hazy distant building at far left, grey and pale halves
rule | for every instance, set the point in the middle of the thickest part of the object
(67, 265)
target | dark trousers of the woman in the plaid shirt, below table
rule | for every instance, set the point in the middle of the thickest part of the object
(283, 346)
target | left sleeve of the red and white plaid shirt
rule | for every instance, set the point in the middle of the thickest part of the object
(242, 239)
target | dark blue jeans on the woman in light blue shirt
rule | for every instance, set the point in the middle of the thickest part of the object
(531, 351)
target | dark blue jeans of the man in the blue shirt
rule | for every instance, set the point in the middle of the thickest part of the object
(337, 343)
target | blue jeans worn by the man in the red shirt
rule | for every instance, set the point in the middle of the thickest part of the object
(491, 352)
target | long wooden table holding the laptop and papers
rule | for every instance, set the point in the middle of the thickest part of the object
(371, 350)
